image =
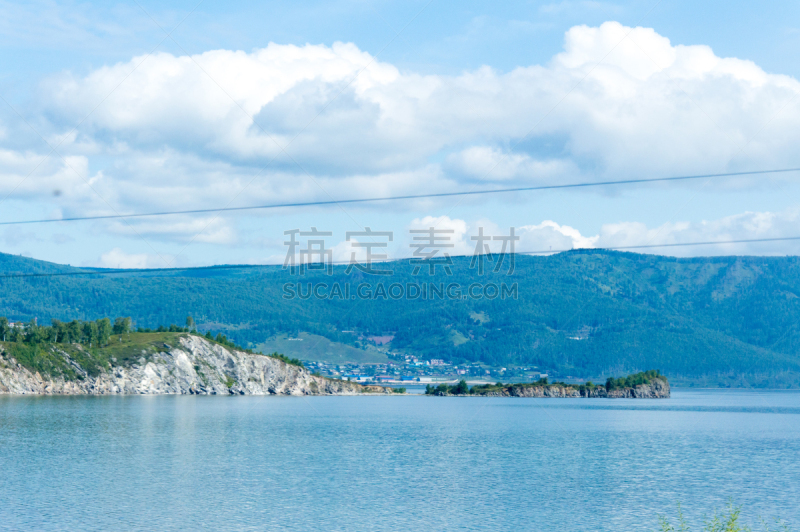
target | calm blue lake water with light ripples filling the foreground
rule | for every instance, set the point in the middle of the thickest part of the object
(392, 463)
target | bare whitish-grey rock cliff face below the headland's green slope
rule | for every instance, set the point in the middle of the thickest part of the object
(197, 366)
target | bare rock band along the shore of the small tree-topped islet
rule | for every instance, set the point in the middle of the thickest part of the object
(657, 389)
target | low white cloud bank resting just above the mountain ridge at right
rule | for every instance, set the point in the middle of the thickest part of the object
(457, 237)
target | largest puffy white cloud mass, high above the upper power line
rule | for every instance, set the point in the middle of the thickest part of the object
(646, 105)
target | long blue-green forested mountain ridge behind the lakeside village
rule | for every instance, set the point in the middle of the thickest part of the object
(585, 312)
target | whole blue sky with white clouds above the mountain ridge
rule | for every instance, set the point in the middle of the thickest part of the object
(120, 108)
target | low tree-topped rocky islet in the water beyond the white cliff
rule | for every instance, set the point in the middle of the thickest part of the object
(644, 385)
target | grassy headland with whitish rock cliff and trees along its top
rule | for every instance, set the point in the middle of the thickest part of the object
(157, 363)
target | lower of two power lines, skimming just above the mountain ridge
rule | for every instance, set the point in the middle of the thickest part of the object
(255, 266)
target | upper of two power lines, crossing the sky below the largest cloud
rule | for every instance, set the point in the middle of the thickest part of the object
(406, 197)
